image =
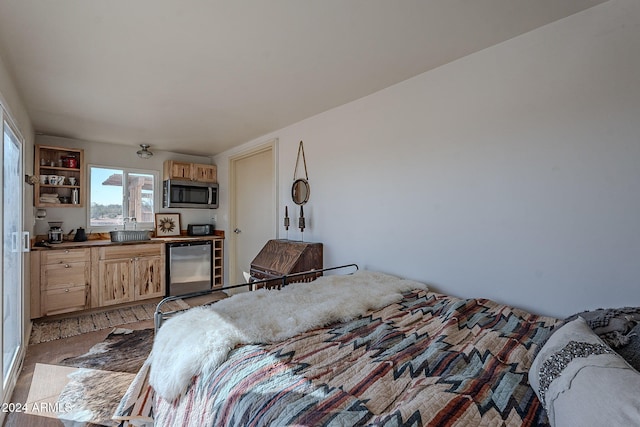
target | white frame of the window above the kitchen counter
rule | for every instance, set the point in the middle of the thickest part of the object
(157, 192)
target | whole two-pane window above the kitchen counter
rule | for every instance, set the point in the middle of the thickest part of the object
(117, 194)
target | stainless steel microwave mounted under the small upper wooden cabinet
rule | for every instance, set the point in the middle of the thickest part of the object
(189, 194)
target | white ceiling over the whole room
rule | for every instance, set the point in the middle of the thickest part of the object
(201, 76)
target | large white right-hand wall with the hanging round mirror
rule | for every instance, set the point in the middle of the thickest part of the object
(511, 174)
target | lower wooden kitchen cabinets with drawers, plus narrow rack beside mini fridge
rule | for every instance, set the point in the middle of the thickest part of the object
(76, 279)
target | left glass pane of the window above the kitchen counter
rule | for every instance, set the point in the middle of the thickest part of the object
(106, 197)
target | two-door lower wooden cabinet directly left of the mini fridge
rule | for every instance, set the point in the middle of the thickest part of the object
(127, 273)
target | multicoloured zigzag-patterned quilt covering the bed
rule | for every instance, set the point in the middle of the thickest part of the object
(429, 360)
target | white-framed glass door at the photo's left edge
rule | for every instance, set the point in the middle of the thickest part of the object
(15, 242)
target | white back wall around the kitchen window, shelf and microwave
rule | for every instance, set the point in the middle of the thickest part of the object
(116, 155)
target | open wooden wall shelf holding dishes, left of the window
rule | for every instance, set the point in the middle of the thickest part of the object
(67, 166)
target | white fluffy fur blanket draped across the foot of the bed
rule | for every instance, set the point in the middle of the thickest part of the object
(199, 340)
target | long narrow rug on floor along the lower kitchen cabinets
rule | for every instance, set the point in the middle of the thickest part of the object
(50, 330)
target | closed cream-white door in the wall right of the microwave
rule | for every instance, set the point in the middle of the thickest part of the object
(253, 207)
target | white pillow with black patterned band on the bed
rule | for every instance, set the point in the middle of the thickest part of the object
(582, 382)
